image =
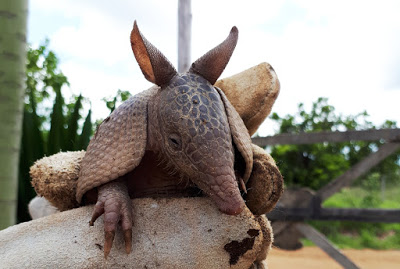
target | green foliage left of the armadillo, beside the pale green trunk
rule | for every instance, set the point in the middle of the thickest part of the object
(47, 130)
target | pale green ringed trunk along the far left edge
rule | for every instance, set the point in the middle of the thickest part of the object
(13, 15)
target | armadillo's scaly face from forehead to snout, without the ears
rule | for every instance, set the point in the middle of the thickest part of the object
(190, 126)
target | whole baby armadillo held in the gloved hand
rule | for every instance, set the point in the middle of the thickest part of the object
(183, 132)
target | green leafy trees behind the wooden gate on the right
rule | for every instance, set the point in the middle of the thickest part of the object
(315, 165)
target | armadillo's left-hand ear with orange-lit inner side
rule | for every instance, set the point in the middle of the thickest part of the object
(155, 66)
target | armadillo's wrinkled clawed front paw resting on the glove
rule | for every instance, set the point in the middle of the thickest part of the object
(113, 201)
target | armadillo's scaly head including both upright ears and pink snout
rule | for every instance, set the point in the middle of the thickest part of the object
(188, 124)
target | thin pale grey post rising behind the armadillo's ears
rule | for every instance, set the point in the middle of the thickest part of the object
(184, 34)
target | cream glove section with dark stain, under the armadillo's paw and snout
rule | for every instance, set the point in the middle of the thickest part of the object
(167, 233)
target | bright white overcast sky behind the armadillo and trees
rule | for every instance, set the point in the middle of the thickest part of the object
(346, 51)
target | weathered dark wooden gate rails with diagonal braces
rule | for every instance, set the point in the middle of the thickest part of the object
(314, 210)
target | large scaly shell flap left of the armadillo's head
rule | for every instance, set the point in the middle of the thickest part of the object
(118, 145)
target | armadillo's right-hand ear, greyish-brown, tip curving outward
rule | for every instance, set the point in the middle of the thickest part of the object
(211, 64)
